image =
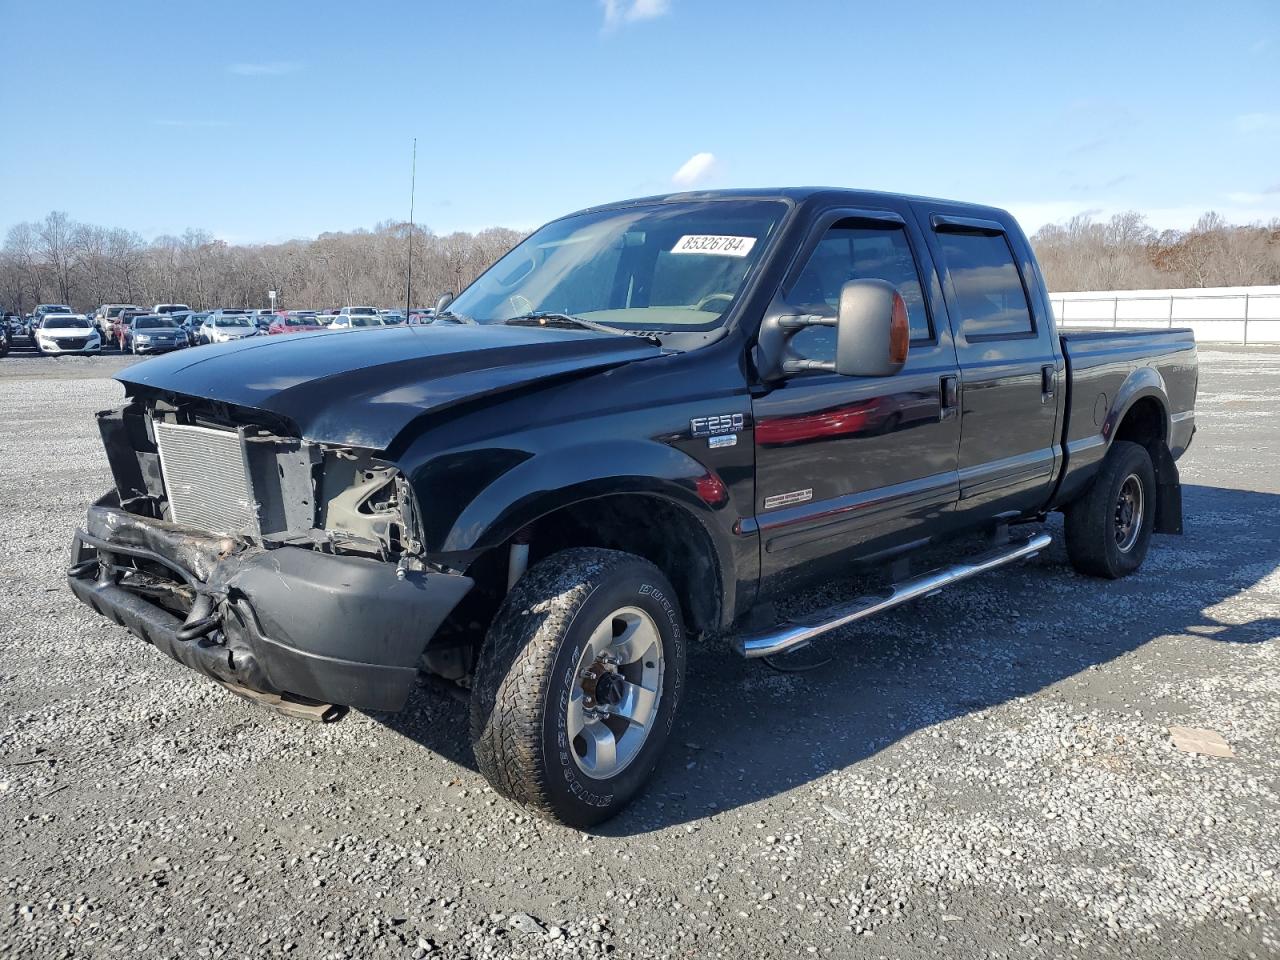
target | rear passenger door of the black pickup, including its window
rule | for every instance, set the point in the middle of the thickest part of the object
(1011, 367)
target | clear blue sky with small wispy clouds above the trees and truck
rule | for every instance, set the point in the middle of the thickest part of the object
(267, 121)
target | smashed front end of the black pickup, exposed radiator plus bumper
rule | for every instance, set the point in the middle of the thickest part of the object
(289, 570)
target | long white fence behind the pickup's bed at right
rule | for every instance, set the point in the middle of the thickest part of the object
(1217, 314)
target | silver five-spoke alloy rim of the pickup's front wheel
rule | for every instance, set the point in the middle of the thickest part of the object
(615, 700)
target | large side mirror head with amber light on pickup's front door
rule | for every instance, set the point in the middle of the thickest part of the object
(872, 332)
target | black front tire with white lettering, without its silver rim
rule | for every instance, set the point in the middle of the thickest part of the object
(531, 668)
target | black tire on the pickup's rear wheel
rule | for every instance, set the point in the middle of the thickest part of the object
(1098, 541)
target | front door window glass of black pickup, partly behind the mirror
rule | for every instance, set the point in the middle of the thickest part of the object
(852, 253)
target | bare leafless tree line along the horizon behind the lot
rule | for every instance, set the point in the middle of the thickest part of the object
(60, 260)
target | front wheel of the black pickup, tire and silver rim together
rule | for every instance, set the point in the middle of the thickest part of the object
(578, 685)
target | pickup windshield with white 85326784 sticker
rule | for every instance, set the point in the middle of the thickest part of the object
(662, 267)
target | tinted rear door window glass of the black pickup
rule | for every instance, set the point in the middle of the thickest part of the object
(990, 296)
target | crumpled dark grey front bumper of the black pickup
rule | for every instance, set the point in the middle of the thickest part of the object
(286, 621)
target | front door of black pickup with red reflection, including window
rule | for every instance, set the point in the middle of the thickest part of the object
(856, 467)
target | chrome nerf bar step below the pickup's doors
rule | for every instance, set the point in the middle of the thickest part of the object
(789, 637)
